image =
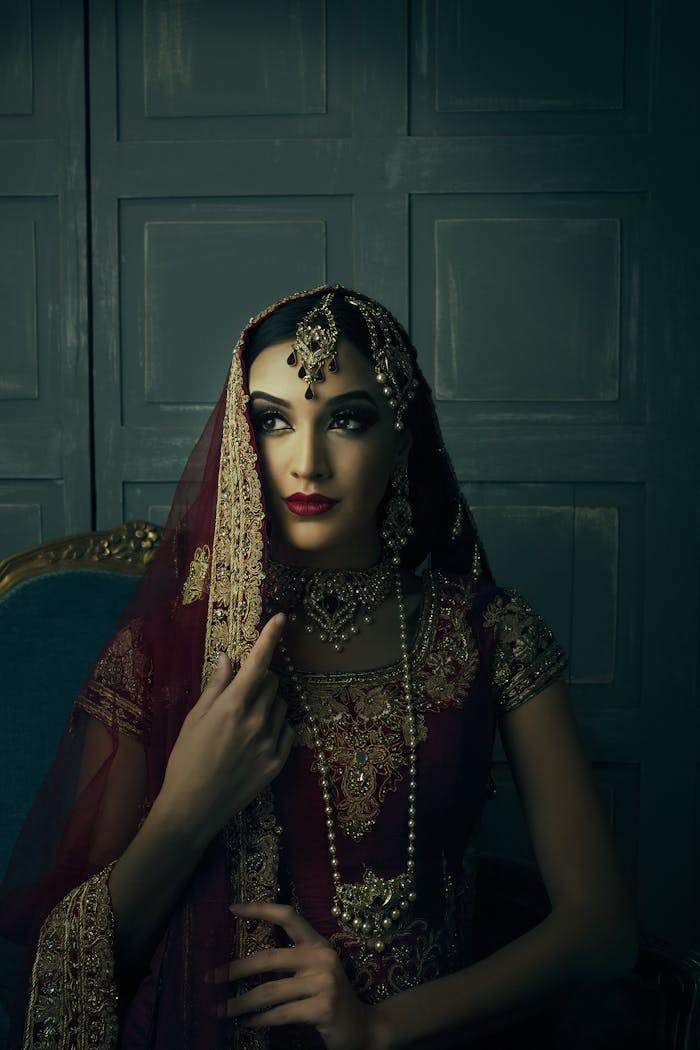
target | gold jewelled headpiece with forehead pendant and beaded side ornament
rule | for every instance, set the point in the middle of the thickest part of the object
(316, 342)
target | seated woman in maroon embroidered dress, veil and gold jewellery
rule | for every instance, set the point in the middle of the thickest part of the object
(285, 750)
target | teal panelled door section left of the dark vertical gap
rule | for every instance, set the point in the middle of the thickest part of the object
(46, 486)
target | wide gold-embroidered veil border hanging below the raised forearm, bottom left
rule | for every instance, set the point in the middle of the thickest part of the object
(73, 1000)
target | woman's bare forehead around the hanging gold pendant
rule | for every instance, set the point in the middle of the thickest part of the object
(271, 374)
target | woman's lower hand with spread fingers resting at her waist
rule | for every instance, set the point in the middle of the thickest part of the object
(315, 992)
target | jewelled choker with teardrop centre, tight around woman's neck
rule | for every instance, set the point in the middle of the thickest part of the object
(332, 600)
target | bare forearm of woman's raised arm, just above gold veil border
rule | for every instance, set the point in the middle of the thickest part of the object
(147, 881)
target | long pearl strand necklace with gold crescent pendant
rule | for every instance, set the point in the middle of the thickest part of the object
(376, 910)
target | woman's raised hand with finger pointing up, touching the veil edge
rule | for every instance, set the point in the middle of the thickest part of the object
(232, 744)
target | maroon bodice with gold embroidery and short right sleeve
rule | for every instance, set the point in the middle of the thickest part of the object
(479, 653)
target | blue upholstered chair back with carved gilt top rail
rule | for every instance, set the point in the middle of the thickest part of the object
(59, 604)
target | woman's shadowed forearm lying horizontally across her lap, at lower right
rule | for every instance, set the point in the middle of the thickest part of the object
(563, 950)
